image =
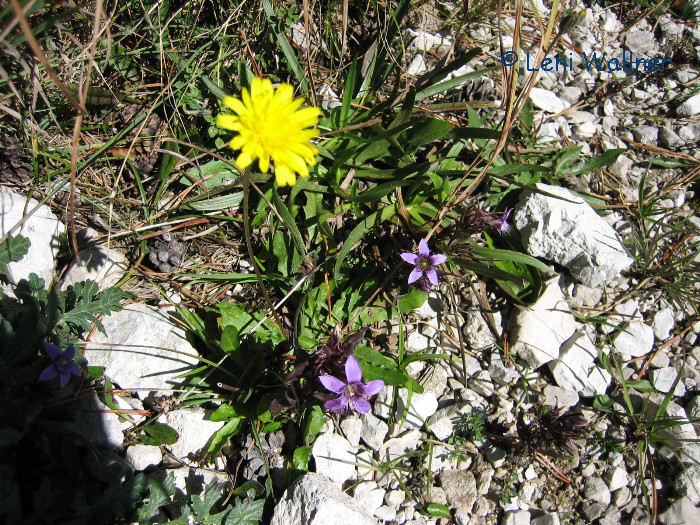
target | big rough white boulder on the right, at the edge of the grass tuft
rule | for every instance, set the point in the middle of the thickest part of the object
(570, 233)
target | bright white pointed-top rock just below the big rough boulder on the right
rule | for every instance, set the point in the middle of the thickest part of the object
(539, 331)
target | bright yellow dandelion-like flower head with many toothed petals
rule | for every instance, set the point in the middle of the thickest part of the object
(271, 126)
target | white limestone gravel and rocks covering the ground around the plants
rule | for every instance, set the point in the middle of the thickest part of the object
(523, 432)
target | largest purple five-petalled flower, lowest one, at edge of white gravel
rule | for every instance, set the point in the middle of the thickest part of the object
(353, 392)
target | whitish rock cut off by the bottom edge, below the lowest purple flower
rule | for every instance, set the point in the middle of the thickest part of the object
(312, 500)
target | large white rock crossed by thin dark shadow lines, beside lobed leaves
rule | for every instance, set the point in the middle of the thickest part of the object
(143, 348)
